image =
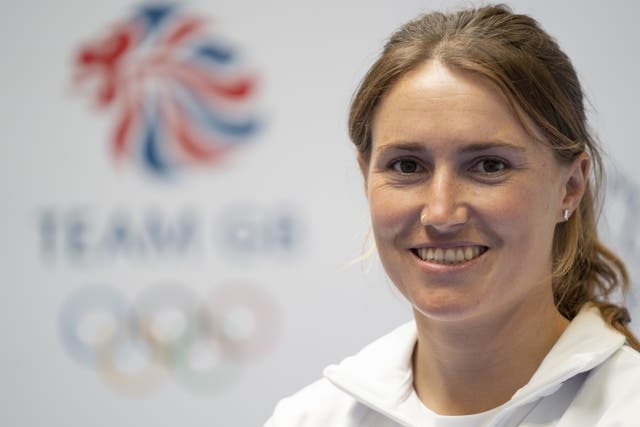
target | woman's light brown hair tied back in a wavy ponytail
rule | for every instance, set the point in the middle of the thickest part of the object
(540, 82)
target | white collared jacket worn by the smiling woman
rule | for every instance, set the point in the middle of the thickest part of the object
(589, 378)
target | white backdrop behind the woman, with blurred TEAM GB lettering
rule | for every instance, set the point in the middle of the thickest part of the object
(264, 237)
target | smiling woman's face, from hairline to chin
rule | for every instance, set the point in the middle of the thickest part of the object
(463, 200)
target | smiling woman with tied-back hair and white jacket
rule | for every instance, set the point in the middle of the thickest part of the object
(481, 177)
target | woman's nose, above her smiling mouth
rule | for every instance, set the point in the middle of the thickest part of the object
(445, 209)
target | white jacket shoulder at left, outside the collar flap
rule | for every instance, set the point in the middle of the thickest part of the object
(318, 404)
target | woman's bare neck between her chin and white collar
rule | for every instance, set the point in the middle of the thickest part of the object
(471, 366)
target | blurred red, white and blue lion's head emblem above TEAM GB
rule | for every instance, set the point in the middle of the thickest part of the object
(180, 93)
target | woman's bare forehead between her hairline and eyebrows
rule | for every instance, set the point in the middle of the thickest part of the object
(437, 103)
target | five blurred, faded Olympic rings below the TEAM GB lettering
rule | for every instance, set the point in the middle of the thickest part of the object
(169, 329)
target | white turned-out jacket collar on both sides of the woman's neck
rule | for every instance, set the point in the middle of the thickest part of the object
(381, 377)
